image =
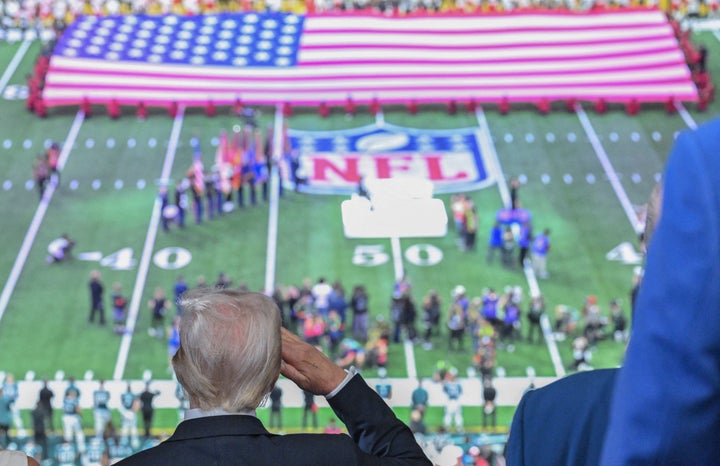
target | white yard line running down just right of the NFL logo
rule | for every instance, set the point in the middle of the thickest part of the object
(487, 147)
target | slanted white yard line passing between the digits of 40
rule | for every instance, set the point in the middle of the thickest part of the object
(147, 251)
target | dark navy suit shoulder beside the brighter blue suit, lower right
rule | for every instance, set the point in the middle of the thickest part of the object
(563, 423)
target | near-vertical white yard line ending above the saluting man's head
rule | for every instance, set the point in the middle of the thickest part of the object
(271, 254)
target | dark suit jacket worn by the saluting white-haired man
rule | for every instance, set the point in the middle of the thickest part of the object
(378, 438)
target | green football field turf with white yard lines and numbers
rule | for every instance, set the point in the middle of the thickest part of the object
(584, 177)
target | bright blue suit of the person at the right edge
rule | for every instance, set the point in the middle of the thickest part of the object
(666, 404)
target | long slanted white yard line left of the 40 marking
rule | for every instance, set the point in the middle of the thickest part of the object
(38, 217)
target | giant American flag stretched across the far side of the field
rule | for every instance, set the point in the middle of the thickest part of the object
(270, 58)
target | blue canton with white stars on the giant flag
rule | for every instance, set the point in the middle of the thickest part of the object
(225, 40)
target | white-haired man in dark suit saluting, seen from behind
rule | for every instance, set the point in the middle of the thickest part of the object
(232, 352)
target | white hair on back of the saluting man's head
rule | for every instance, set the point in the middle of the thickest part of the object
(229, 355)
